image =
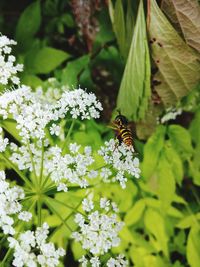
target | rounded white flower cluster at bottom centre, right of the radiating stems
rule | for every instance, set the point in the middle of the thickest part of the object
(98, 230)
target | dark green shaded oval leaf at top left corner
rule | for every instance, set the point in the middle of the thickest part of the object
(29, 22)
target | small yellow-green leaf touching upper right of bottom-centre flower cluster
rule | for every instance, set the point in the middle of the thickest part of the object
(135, 213)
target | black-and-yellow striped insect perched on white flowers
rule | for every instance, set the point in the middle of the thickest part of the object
(123, 132)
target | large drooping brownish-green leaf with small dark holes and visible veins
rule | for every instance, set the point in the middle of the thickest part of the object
(179, 70)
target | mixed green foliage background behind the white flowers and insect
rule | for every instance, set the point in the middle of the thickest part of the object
(106, 47)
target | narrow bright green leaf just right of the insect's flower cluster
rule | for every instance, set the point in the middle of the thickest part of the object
(152, 150)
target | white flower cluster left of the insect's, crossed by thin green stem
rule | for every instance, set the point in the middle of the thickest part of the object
(69, 168)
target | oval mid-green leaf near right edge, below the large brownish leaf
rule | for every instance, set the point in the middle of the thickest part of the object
(181, 140)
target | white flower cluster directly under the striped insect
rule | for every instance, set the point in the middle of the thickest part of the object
(123, 160)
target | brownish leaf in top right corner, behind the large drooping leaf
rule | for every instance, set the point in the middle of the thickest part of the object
(188, 14)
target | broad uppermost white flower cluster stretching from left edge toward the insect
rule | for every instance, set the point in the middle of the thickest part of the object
(33, 113)
